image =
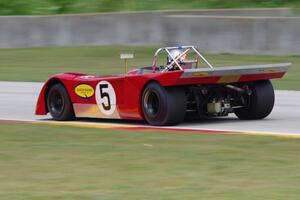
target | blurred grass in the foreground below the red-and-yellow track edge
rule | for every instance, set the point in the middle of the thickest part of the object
(53, 162)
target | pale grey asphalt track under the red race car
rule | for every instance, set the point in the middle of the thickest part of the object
(18, 99)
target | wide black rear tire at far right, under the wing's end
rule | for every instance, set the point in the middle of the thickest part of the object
(260, 102)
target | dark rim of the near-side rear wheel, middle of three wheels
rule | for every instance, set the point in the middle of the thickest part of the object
(151, 103)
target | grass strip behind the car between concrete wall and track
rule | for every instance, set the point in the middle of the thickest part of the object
(37, 64)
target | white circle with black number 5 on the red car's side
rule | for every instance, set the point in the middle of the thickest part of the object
(106, 97)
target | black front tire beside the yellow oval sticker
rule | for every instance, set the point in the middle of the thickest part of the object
(59, 104)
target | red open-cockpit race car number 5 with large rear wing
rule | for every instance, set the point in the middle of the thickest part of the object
(164, 95)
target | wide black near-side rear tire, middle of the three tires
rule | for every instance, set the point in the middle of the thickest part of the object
(163, 106)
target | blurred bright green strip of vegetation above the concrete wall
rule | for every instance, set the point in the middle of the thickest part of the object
(44, 7)
